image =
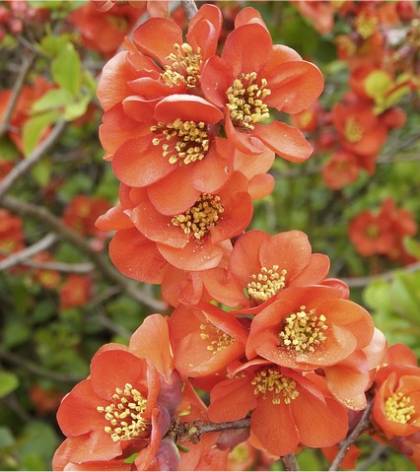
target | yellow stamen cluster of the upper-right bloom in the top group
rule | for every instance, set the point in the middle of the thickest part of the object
(246, 100)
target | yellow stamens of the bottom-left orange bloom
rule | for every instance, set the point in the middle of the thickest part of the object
(125, 414)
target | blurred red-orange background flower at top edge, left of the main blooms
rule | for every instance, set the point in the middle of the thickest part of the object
(103, 30)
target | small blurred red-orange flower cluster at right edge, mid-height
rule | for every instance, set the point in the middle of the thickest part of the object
(383, 232)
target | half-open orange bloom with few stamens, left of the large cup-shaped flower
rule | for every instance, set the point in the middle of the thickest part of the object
(205, 340)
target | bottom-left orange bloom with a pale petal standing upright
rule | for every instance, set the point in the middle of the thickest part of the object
(125, 405)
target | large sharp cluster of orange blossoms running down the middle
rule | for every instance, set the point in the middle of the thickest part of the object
(258, 326)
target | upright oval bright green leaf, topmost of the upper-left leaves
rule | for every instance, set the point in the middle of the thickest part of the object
(66, 69)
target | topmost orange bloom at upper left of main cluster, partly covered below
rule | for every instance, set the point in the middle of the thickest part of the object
(160, 62)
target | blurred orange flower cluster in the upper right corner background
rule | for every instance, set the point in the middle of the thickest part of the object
(380, 52)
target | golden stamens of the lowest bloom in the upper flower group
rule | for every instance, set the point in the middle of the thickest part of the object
(201, 217)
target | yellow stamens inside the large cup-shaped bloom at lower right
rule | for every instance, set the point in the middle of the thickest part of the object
(304, 330)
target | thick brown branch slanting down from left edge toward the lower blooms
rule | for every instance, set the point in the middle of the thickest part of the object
(100, 262)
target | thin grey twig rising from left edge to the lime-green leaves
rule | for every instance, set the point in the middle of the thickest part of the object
(26, 164)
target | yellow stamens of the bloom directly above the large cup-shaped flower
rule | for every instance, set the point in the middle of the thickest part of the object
(266, 283)
